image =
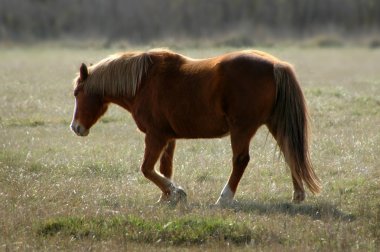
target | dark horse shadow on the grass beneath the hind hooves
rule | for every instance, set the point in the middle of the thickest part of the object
(321, 210)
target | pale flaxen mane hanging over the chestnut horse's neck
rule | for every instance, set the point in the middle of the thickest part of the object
(117, 75)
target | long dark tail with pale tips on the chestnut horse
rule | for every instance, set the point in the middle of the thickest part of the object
(289, 125)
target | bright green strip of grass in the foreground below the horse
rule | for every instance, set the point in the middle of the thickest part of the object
(180, 231)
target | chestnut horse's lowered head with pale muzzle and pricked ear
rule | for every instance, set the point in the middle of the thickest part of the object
(88, 107)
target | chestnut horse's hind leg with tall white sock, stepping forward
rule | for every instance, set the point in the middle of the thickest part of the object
(240, 149)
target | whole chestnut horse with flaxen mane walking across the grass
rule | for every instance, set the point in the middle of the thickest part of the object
(171, 96)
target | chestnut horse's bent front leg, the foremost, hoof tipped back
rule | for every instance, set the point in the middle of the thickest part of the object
(153, 149)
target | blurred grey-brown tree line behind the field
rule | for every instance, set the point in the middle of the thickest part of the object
(146, 20)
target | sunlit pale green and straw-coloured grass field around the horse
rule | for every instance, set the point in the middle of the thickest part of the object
(62, 192)
